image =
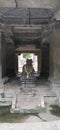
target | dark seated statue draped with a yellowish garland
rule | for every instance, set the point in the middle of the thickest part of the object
(28, 72)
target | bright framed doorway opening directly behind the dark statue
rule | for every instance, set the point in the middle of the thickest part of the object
(21, 57)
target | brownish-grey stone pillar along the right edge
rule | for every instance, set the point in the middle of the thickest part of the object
(55, 56)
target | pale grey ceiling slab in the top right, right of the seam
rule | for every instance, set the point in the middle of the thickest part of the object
(38, 3)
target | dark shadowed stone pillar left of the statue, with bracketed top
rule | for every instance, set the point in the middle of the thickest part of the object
(10, 54)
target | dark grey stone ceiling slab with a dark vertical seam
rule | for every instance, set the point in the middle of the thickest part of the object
(25, 15)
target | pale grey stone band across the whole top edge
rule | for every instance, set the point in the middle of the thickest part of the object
(30, 3)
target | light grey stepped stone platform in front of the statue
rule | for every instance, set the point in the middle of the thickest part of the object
(28, 100)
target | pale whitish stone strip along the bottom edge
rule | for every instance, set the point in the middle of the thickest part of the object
(54, 125)
